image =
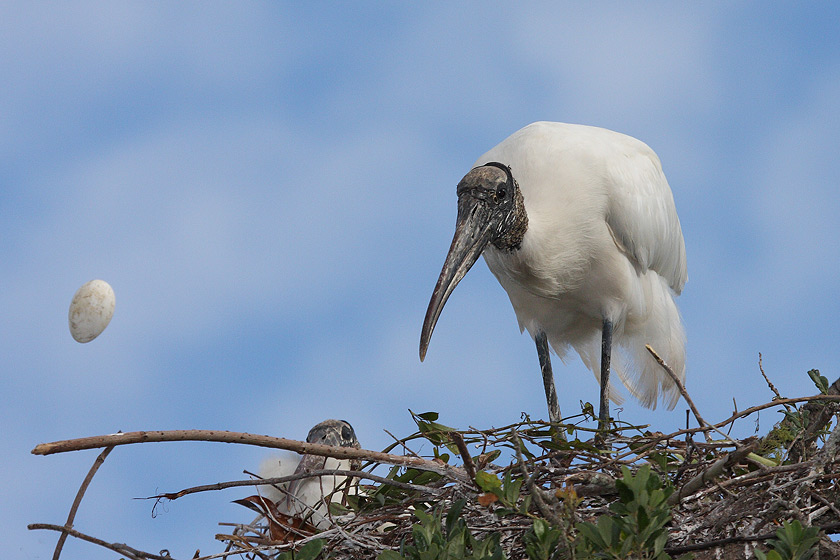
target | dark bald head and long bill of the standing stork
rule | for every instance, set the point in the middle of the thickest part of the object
(490, 211)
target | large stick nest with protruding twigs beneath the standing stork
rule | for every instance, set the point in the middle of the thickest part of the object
(723, 497)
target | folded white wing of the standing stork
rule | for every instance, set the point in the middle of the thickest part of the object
(642, 216)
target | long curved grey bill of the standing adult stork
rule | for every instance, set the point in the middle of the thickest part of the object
(472, 234)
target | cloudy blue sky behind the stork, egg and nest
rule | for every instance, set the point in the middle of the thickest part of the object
(270, 190)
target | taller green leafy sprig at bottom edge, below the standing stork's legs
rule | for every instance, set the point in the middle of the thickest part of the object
(637, 530)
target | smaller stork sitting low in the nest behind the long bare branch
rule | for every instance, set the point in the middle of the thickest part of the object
(308, 498)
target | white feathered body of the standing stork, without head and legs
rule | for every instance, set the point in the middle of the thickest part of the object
(603, 241)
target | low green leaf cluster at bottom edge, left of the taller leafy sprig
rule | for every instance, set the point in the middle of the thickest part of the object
(434, 540)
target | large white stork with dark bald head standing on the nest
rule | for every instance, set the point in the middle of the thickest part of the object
(578, 225)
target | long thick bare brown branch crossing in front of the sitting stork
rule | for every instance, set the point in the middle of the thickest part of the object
(249, 439)
